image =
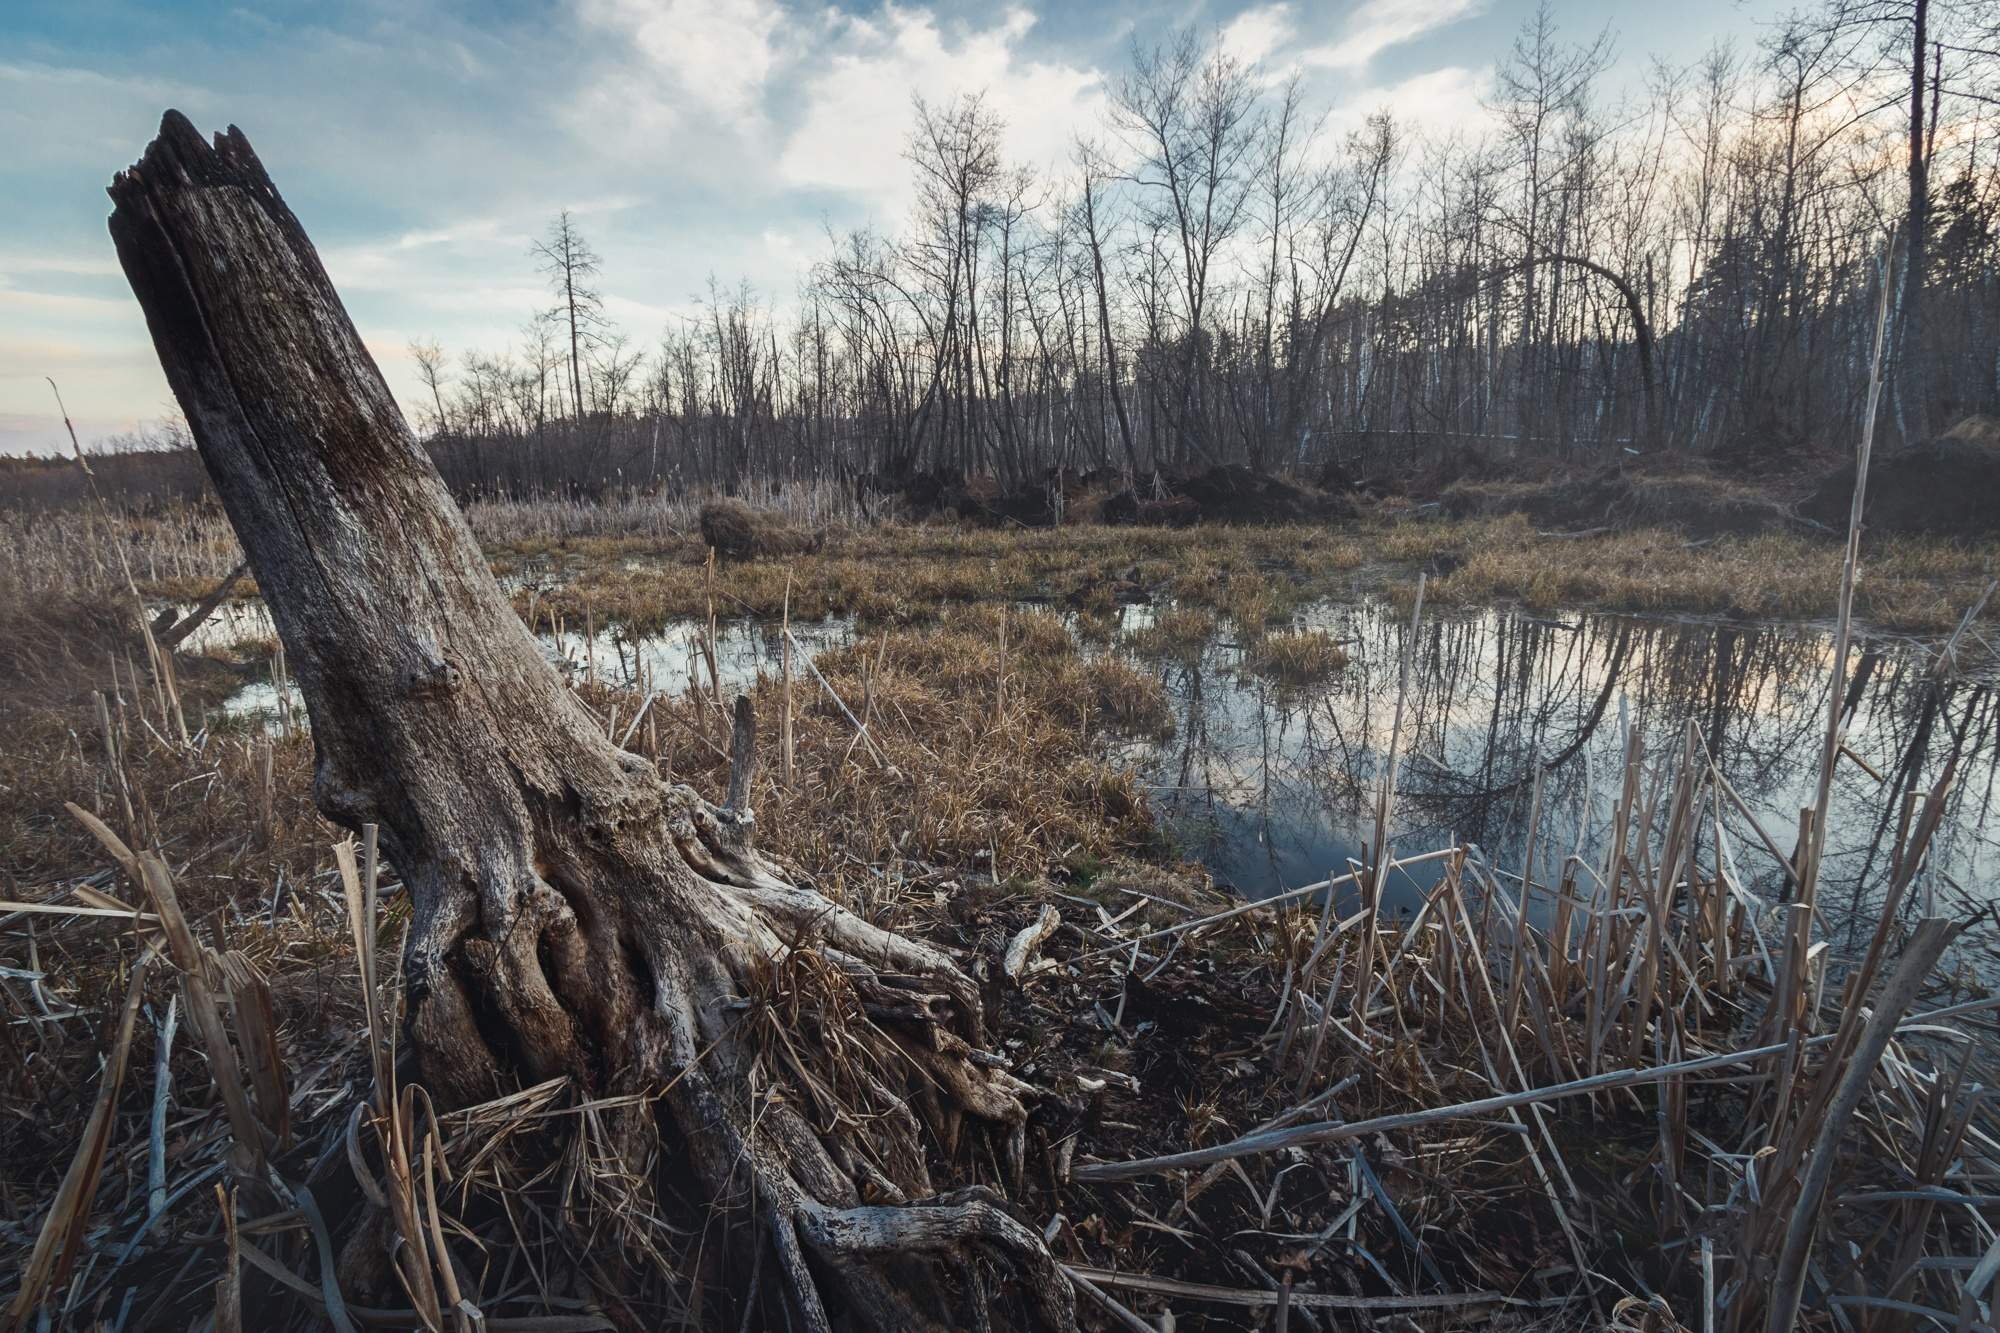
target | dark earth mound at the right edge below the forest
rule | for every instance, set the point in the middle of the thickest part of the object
(1947, 487)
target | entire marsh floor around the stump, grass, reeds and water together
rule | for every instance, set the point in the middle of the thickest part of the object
(1133, 730)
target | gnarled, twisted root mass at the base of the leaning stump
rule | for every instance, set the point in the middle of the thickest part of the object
(805, 1064)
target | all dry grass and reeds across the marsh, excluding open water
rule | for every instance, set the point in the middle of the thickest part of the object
(961, 778)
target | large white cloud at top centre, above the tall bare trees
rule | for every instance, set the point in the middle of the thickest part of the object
(857, 109)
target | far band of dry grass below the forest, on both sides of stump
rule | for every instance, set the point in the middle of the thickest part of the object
(641, 563)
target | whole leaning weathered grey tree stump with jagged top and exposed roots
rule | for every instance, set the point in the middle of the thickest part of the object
(573, 914)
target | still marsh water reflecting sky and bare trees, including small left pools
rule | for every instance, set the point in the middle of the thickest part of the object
(1277, 788)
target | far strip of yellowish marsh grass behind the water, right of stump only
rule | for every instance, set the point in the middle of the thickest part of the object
(1259, 575)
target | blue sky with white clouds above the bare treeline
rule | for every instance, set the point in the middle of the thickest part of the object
(427, 143)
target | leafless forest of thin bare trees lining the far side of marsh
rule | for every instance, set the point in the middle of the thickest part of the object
(1223, 275)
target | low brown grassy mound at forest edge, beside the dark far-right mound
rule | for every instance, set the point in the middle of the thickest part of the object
(1697, 503)
